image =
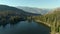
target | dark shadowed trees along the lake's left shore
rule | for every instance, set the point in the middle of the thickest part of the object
(10, 17)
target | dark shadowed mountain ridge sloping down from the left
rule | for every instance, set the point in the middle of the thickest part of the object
(5, 8)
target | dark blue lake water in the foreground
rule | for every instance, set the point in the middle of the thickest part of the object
(24, 27)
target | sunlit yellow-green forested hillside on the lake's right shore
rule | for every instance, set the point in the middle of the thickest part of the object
(52, 18)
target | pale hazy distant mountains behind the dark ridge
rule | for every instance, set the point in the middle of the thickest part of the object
(34, 10)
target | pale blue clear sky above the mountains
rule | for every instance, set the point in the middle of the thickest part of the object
(32, 3)
